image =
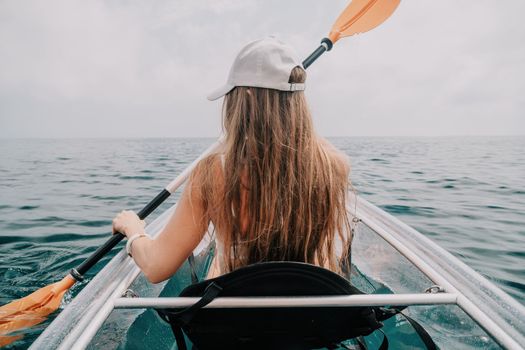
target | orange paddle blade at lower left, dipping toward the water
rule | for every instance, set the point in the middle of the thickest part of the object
(32, 309)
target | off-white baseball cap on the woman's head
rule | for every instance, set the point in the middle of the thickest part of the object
(265, 63)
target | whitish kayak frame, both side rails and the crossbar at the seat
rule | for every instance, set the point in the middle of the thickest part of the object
(502, 317)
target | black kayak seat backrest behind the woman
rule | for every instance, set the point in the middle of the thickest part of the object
(273, 328)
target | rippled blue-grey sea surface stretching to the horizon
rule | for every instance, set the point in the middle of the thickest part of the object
(57, 199)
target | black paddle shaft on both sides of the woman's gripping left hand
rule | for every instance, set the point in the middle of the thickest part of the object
(116, 238)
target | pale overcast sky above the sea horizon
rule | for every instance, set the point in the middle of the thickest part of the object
(100, 68)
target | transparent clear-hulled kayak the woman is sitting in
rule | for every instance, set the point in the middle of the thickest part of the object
(391, 261)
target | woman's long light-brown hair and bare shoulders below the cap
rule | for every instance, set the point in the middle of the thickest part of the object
(282, 195)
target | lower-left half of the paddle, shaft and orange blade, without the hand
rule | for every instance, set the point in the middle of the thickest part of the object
(34, 308)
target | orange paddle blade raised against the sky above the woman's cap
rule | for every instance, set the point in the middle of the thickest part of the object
(361, 16)
